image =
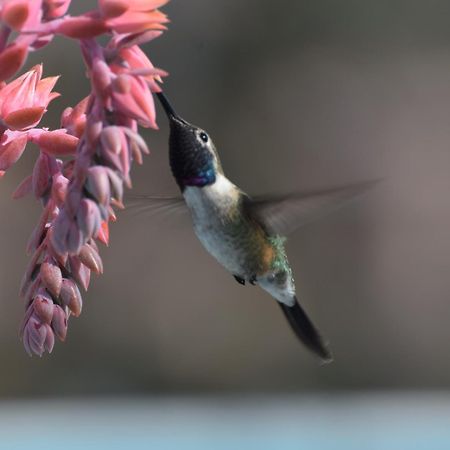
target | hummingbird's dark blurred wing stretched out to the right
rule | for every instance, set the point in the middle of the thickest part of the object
(284, 214)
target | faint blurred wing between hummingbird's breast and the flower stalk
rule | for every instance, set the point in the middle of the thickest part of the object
(150, 205)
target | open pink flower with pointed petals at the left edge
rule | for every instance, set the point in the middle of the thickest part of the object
(24, 101)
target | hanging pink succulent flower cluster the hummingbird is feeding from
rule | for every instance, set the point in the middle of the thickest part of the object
(82, 167)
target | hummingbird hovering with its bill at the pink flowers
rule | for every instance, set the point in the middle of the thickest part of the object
(246, 235)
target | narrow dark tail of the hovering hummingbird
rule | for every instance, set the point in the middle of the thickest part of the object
(306, 331)
